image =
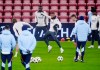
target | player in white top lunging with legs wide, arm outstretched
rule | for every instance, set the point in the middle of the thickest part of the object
(55, 25)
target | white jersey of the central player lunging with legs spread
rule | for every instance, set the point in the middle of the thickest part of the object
(53, 22)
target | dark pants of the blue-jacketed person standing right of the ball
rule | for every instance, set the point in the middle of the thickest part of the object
(80, 45)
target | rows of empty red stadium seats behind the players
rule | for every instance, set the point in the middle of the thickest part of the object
(24, 9)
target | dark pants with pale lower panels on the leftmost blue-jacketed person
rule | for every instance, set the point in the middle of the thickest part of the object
(7, 57)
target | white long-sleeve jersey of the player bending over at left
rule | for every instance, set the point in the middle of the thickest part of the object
(17, 27)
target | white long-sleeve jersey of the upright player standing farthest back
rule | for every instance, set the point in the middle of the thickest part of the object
(41, 19)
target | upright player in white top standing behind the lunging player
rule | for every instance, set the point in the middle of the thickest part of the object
(41, 21)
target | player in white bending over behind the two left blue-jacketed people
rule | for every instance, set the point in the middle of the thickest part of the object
(17, 28)
